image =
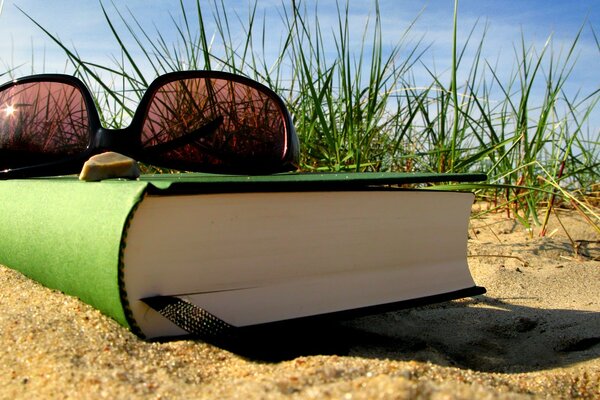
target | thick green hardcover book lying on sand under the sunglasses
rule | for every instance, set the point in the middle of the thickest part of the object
(240, 250)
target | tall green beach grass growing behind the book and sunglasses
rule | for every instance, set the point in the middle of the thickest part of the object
(359, 108)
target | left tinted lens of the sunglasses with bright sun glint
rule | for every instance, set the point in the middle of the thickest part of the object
(41, 122)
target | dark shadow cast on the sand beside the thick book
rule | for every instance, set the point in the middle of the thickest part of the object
(494, 336)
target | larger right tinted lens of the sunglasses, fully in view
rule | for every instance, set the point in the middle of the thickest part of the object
(216, 123)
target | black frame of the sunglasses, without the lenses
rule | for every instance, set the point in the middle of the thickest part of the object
(127, 140)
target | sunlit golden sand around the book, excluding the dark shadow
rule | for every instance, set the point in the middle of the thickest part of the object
(535, 334)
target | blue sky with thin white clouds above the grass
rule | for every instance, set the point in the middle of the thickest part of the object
(80, 24)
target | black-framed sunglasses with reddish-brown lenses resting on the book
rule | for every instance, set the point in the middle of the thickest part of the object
(202, 121)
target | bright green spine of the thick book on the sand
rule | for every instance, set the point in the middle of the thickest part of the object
(67, 235)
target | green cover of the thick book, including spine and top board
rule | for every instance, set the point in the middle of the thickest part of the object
(70, 235)
